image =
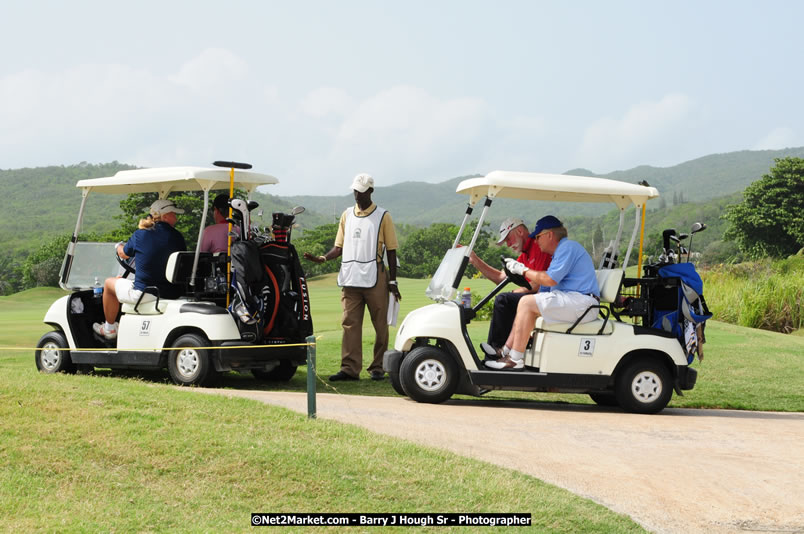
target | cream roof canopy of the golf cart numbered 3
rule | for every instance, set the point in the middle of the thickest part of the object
(555, 187)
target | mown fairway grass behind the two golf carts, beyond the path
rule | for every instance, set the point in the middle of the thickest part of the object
(743, 368)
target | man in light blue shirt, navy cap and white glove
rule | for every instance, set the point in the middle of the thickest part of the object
(571, 285)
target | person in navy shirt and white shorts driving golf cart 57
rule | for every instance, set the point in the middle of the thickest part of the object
(151, 244)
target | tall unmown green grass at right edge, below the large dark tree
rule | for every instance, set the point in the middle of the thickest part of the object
(764, 294)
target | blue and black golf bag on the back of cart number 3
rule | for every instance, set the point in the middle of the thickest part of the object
(682, 310)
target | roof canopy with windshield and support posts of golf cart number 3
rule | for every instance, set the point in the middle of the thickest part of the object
(533, 186)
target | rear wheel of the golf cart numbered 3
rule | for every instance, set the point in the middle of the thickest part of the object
(644, 386)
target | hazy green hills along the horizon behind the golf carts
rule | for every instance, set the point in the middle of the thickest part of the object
(44, 200)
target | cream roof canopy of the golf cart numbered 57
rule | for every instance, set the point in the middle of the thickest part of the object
(164, 180)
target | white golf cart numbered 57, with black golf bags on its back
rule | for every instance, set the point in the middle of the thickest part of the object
(195, 336)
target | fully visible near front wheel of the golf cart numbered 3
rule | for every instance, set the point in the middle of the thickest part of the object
(428, 374)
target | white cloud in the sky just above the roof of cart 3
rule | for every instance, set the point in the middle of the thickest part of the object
(644, 133)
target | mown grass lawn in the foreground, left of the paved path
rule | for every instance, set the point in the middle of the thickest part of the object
(114, 452)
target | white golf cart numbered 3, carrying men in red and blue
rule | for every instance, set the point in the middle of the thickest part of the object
(616, 362)
